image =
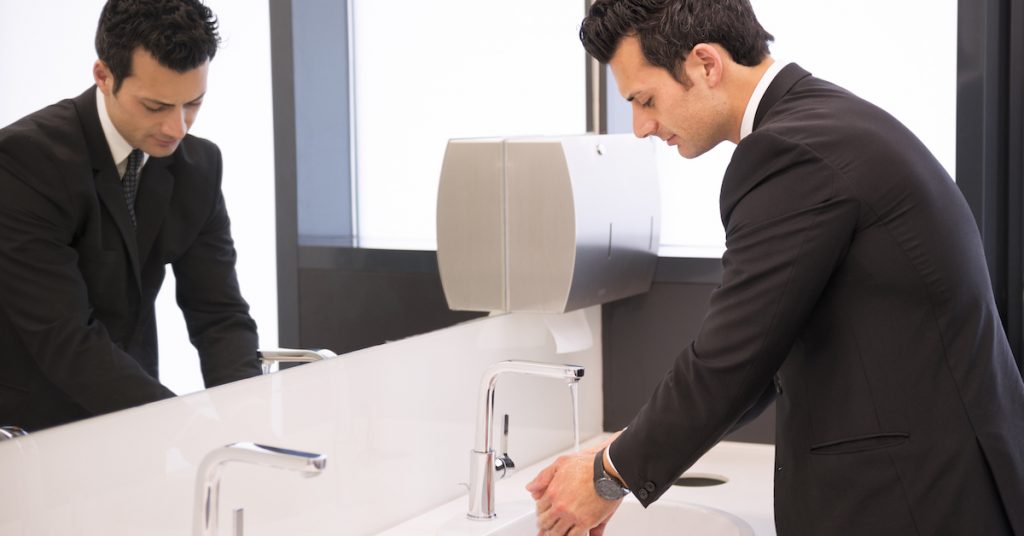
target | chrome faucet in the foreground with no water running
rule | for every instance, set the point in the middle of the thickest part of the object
(206, 516)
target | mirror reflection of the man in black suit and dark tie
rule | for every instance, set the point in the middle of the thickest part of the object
(98, 194)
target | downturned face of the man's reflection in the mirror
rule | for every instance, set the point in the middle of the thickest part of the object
(155, 106)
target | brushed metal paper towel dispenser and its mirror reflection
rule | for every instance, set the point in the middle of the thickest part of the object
(547, 225)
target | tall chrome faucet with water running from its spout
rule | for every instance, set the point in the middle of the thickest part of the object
(484, 466)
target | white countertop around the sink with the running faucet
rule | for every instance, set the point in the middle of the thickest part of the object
(748, 494)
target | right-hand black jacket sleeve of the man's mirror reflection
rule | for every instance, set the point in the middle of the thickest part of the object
(217, 315)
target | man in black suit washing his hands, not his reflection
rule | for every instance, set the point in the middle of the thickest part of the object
(855, 293)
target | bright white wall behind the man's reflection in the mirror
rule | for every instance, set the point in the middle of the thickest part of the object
(47, 55)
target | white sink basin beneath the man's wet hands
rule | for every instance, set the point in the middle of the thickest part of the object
(663, 518)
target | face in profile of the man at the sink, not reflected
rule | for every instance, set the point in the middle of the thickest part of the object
(689, 118)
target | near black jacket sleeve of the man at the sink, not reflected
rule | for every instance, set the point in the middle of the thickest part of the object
(789, 224)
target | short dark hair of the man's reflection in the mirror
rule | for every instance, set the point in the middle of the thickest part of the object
(181, 34)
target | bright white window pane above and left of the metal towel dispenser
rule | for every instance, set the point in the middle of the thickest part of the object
(428, 72)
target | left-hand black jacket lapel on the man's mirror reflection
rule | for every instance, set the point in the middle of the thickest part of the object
(106, 176)
